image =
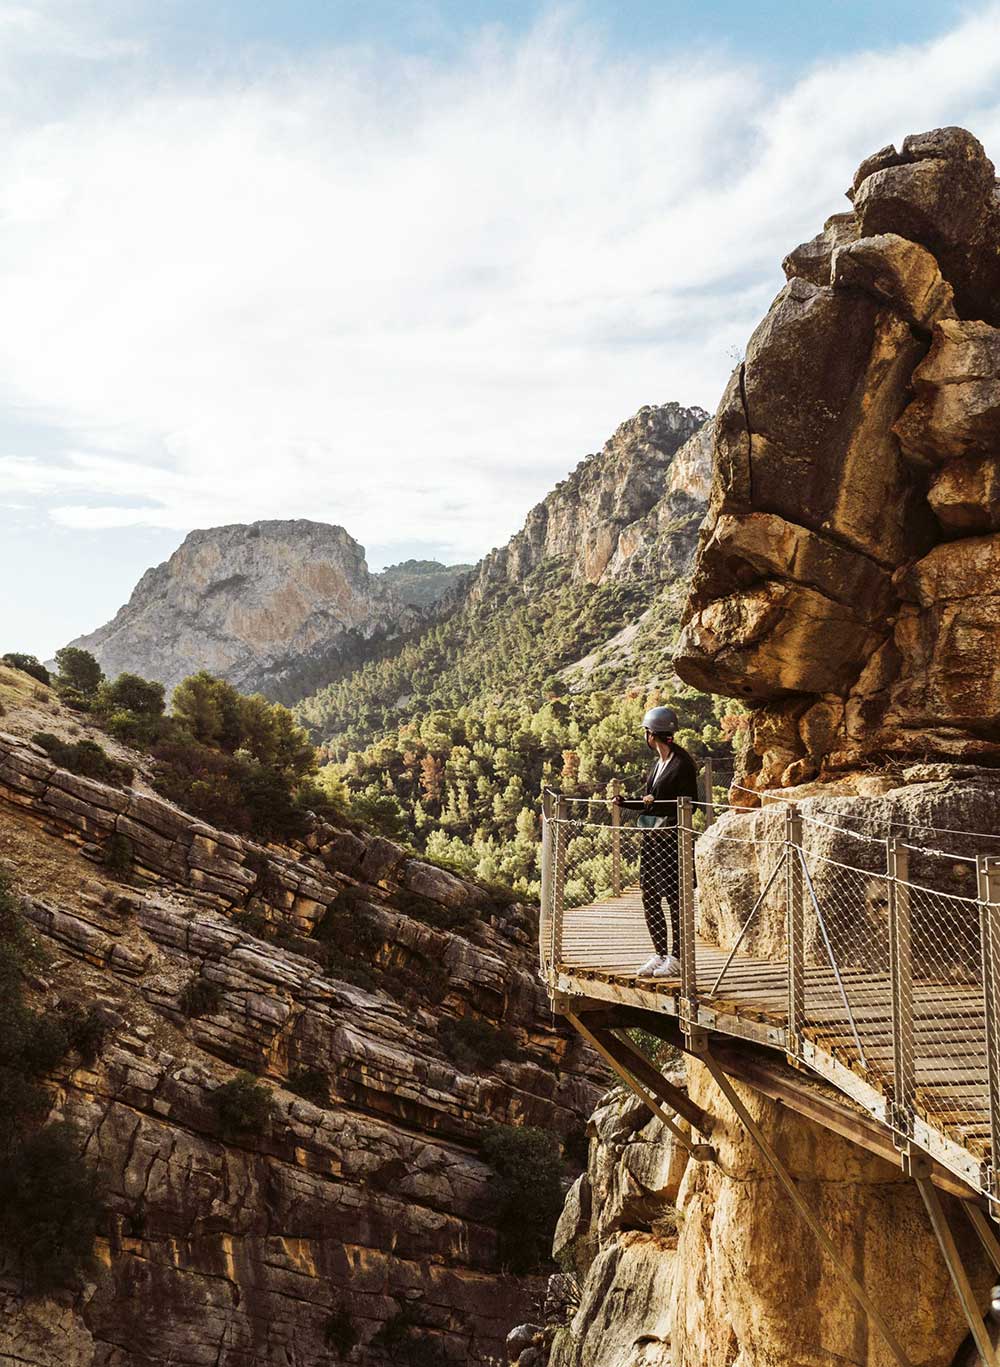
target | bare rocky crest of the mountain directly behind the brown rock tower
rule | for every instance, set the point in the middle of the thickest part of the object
(651, 476)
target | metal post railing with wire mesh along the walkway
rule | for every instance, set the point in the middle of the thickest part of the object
(887, 985)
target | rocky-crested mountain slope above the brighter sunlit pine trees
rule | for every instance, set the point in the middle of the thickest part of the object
(610, 547)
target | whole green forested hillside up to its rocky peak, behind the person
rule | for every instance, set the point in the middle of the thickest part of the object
(542, 672)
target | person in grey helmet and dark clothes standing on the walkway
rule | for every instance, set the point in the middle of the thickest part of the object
(673, 776)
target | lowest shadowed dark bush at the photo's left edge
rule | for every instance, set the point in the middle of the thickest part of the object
(50, 1210)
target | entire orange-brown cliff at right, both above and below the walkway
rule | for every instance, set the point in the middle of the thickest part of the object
(846, 590)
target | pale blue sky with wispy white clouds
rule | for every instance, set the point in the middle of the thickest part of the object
(400, 266)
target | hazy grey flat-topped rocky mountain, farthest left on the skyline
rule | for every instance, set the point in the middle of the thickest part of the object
(274, 608)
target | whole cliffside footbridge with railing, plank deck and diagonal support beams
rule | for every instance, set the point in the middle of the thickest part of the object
(882, 993)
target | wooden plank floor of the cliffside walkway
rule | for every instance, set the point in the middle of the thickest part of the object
(606, 943)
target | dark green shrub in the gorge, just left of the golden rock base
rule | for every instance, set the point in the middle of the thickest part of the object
(528, 1193)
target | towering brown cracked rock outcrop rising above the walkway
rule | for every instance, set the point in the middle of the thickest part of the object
(846, 580)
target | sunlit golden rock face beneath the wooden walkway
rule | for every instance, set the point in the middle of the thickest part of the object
(677, 1264)
